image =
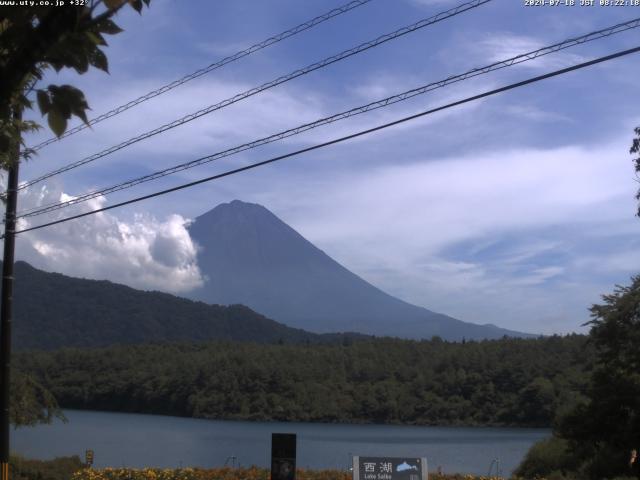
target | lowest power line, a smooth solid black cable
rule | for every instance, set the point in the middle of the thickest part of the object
(342, 139)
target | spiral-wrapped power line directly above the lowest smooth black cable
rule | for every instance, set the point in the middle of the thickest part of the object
(605, 32)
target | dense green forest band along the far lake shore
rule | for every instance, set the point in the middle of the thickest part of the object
(523, 382)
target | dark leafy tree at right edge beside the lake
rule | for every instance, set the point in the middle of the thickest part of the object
(605, 428)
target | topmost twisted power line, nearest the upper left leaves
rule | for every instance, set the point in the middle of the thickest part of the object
(214, 66)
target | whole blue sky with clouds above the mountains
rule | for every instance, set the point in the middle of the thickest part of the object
(516, 210)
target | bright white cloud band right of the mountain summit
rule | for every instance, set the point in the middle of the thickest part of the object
(499, 191)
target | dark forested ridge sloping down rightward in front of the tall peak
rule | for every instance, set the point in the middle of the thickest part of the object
(52, 310)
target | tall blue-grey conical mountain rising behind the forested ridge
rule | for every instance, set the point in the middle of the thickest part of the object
(251, 257)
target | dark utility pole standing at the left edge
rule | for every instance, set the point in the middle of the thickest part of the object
(7, 300)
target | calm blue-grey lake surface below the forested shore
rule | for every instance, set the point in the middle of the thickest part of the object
(122, 439)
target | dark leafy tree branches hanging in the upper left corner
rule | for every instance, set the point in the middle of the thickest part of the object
(36, 38)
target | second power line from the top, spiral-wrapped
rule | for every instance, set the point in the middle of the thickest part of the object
(280, 80)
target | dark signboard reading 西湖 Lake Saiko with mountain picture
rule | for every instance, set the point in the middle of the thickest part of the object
(389, 468)
